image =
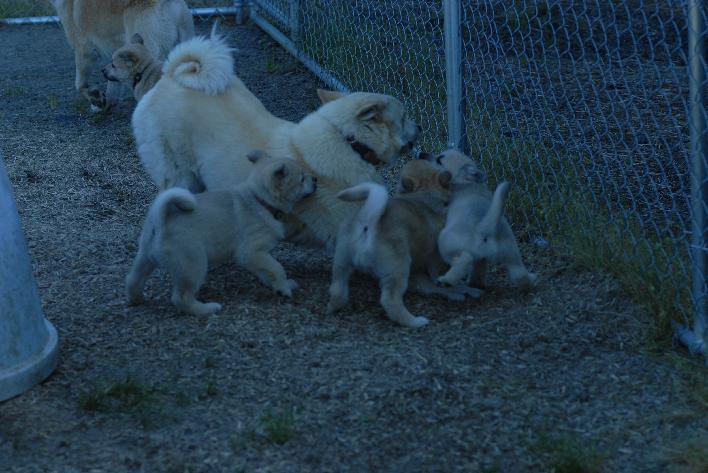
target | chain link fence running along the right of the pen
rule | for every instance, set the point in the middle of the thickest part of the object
(594, 109)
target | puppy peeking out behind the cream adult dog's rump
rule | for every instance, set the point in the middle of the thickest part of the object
(134, 66)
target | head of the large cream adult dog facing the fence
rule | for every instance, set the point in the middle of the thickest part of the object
(374, 125)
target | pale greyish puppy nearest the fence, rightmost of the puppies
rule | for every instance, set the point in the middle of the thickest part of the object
(476, 232)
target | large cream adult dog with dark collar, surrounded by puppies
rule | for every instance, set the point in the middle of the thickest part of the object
(194, 128)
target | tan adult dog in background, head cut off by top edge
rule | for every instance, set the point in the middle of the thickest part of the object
(105, 25)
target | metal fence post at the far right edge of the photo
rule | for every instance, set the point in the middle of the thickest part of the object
(696, 340)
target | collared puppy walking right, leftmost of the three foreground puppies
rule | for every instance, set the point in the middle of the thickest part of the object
(184, 233)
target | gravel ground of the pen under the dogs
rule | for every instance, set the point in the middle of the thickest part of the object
(512, 383)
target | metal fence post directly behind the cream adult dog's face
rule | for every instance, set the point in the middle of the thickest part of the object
(456, 133)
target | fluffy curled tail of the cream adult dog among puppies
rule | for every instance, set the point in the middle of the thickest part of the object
(203, 64)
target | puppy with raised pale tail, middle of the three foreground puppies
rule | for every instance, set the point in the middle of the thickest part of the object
(392, 238)
